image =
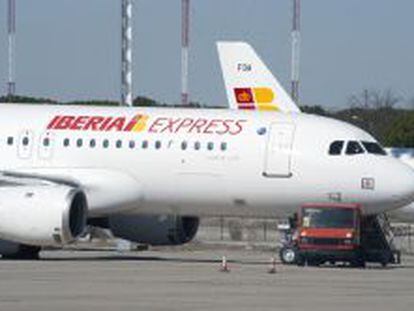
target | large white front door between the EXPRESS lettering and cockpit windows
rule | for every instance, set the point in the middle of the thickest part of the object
(279, 150)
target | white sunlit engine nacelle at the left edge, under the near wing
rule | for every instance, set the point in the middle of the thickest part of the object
(42, 215)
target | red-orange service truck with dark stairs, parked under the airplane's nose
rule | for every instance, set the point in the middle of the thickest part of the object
(336, 232)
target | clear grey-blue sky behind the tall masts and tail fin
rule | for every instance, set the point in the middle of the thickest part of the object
(69, 49)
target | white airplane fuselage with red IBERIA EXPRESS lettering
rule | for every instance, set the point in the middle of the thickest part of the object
(198, 162)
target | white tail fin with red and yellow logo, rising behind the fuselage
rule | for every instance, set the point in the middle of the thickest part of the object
(249, 83)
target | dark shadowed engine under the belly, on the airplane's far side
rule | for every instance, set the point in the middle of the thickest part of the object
(154, 230)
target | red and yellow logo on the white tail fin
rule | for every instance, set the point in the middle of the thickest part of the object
(261, 98)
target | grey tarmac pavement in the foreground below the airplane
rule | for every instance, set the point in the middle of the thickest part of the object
(191, 280)
